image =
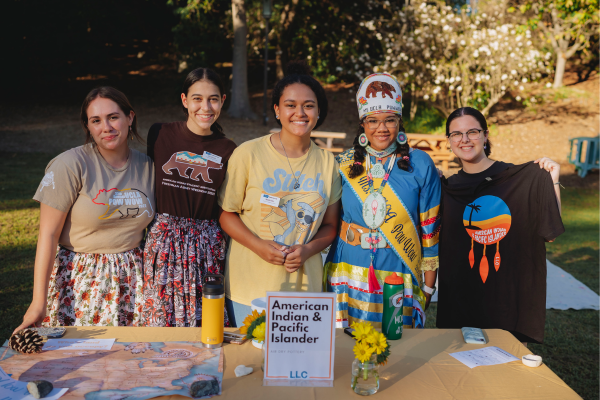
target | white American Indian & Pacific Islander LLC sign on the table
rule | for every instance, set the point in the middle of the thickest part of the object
(299, 339)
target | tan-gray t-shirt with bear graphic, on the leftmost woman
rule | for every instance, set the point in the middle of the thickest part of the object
(108, 208)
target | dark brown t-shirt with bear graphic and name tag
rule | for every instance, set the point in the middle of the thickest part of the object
(189, 169)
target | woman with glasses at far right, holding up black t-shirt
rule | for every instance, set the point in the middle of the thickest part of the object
(496, 218)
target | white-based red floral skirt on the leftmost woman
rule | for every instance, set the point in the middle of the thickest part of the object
(88, 289)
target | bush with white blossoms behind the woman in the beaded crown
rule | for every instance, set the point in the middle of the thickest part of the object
(454, 59)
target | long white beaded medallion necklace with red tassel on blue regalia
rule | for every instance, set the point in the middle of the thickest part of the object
(374, 212)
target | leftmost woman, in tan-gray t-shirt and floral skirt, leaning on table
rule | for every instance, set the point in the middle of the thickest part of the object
(95, 202)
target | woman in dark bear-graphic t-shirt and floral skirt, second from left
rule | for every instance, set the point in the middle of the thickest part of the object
(186, 241)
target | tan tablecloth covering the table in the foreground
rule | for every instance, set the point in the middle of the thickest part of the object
(419, 367)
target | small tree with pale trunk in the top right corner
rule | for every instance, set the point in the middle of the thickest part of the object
(567, 25)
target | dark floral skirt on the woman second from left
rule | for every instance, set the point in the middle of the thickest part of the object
(179, 252)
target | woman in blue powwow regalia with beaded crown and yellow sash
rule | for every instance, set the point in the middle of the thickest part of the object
(390, 221)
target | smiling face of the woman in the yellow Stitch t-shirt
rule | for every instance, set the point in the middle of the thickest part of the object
(298, 109)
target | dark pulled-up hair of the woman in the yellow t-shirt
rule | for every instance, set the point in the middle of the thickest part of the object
(298, 72)
